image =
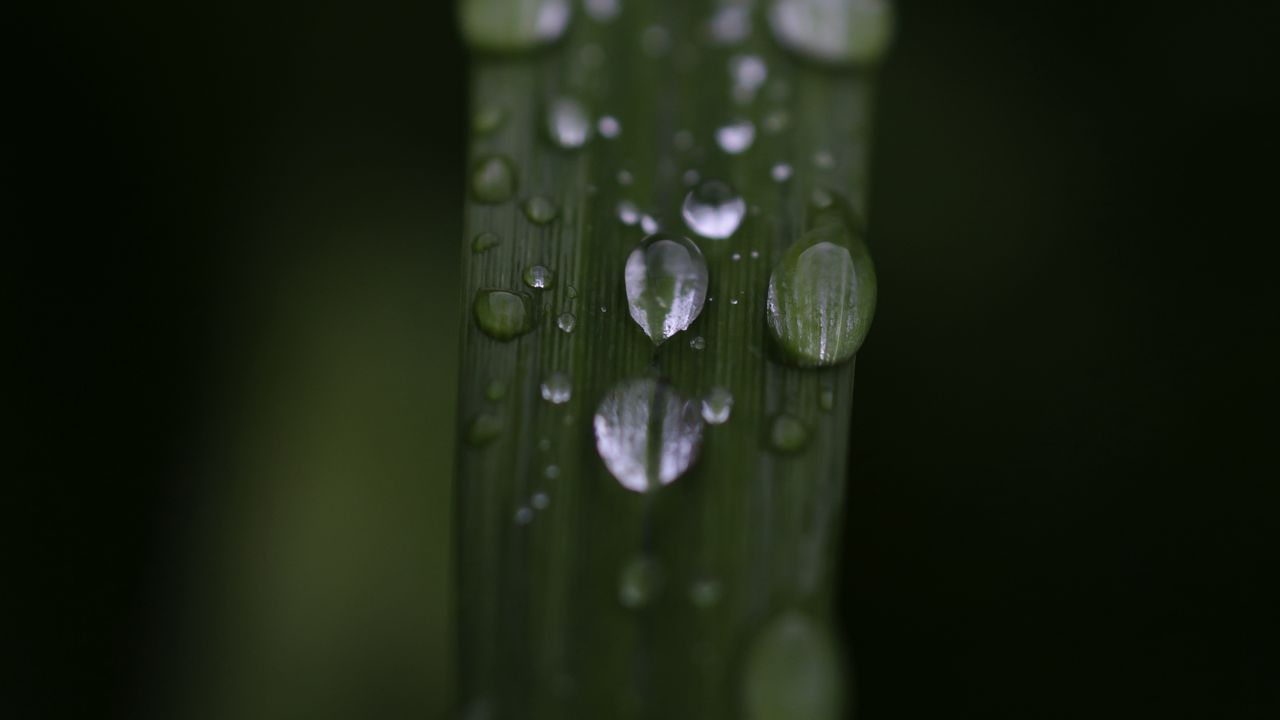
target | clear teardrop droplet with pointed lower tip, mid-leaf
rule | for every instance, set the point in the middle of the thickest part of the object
(666, 281)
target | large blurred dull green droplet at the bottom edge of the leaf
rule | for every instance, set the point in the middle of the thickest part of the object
(793, 671)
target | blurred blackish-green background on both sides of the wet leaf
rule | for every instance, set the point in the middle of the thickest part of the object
(235, 280)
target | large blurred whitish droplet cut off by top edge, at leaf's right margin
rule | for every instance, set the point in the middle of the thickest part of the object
(834, 31)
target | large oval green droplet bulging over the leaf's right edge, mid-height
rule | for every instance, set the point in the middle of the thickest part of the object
(822, 295)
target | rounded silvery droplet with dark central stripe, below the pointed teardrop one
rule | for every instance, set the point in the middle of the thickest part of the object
(647, 435)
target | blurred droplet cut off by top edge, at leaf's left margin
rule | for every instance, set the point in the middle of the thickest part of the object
(508, 26)
